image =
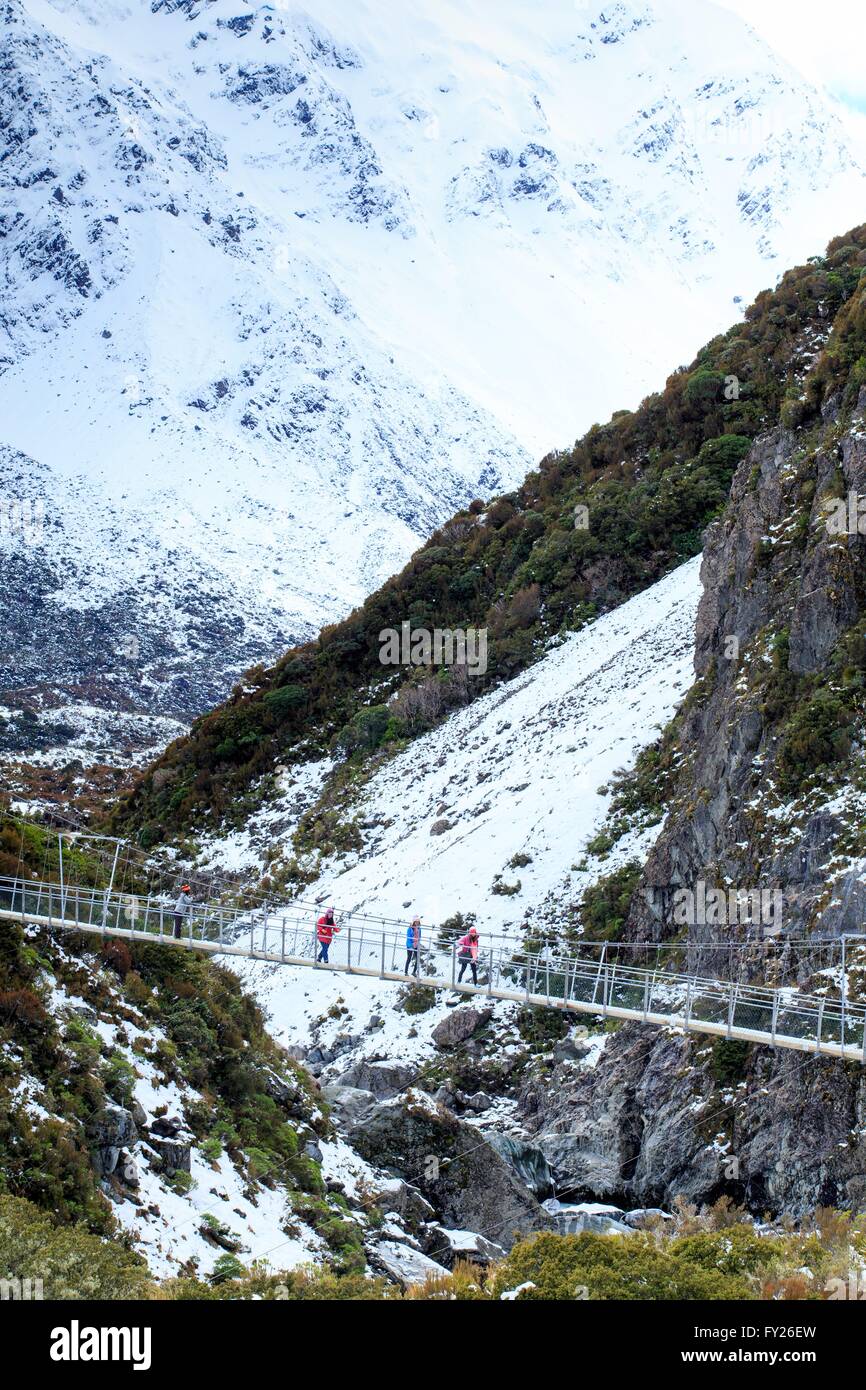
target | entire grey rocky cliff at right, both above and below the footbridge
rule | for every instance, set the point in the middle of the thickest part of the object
(769, 796)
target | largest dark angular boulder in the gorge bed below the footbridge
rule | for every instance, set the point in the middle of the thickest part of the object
(466, 1181)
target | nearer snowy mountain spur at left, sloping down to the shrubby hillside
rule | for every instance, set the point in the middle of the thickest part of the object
(226, 455)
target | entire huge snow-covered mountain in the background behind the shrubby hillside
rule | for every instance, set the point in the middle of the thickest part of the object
(284, 290)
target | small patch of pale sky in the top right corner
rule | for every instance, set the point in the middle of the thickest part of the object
(826, 40)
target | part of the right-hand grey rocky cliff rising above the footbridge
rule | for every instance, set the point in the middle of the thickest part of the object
(778, 636)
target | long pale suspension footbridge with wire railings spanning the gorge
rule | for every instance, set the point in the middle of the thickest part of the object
(597, 982)
